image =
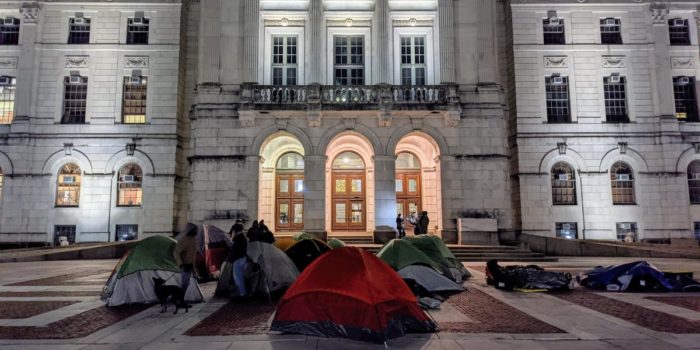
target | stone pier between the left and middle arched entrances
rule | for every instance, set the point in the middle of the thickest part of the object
(315, 194)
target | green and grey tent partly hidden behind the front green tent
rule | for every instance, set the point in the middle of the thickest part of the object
(434, 247)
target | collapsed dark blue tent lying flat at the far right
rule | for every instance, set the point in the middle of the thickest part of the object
(637, 276)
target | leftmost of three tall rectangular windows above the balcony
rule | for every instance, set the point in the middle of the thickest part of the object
(284, 60)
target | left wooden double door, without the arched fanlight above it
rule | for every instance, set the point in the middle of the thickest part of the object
(289, 202)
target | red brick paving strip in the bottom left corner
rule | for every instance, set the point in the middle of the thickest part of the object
(76, 326)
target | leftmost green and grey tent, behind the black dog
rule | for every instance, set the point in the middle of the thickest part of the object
(132, 279)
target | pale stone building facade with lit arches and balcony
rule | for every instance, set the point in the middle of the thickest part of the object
(332, 116)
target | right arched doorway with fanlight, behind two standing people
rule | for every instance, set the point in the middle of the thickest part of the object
(408, 186)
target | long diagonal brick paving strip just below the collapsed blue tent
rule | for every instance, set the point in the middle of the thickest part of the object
(654, 320)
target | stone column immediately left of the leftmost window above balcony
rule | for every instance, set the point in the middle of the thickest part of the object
(251, 30)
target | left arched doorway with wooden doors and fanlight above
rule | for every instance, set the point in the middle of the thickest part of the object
(289, 192)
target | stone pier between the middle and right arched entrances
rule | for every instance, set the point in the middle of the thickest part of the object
(384, 191)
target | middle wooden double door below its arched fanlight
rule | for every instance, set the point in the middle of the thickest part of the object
(349, 207)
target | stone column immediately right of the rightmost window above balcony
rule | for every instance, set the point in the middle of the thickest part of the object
(447, 40)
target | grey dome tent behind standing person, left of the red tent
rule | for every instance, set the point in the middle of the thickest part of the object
(278, 272)
